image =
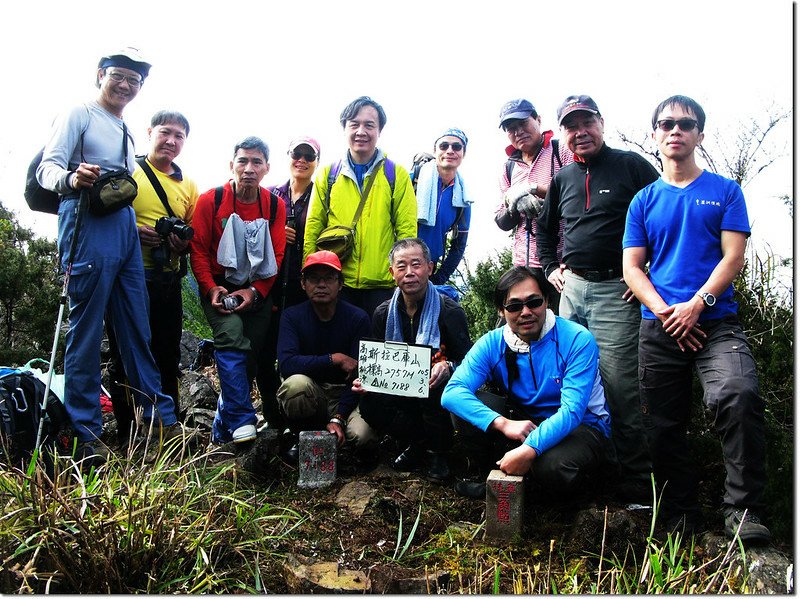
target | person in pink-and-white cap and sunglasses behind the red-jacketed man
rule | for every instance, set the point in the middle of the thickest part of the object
(287, 291)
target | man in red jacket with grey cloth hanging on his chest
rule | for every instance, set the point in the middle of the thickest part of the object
(237, 250)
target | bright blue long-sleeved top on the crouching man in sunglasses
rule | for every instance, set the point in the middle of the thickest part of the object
(558, 384)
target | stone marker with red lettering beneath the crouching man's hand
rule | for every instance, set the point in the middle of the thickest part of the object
(505, 497)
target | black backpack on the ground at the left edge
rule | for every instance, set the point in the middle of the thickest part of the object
(21, 394)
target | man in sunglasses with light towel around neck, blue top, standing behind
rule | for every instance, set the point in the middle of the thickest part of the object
(443, 205)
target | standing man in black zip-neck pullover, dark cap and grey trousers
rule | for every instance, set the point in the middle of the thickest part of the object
(591, 196)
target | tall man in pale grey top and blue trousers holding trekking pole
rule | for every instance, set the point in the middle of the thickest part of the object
(107, 275)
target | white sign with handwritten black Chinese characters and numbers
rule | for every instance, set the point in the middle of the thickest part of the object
(394, 368)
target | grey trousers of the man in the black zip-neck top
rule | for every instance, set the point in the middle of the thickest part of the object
(615, 326)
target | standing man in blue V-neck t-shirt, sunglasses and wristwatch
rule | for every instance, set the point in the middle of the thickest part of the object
(691, 226)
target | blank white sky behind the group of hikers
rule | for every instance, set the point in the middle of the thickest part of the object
(281, 69)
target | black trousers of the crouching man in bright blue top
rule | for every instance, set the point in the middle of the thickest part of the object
(559, 472)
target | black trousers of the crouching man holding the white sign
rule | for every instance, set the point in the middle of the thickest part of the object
(416, 421)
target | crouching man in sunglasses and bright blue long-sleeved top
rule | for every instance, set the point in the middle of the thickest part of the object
(553, 420)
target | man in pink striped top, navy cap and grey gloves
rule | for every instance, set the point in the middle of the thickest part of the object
(534, 157)
